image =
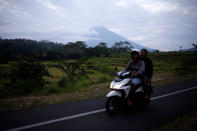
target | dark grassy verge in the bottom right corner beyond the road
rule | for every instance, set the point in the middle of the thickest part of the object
(186, 122)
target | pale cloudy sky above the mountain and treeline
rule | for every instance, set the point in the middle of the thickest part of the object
(158, 24)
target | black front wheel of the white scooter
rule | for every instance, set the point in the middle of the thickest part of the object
(113, 105)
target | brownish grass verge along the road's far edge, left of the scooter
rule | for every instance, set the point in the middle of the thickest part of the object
(18, 103)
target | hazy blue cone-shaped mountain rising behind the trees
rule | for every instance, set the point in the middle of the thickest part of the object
(102, 34)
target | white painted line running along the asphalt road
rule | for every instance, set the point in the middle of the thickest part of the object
(88, 113)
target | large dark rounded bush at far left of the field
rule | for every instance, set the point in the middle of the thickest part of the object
(26, 77)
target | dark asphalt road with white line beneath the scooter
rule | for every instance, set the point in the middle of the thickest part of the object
(167, 103)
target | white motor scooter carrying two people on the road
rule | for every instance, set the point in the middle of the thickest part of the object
(120, 93)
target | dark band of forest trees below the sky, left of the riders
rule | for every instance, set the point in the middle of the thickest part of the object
(24, 49)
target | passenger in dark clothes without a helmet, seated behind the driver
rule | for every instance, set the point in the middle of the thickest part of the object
(148, 71)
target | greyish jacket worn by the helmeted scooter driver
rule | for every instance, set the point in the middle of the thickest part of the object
(136, 67)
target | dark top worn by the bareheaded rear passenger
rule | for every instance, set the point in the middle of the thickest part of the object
(148, 67)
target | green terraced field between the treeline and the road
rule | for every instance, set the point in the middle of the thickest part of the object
(171, 67)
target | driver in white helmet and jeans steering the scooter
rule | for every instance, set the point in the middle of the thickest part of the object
(137, 68)
